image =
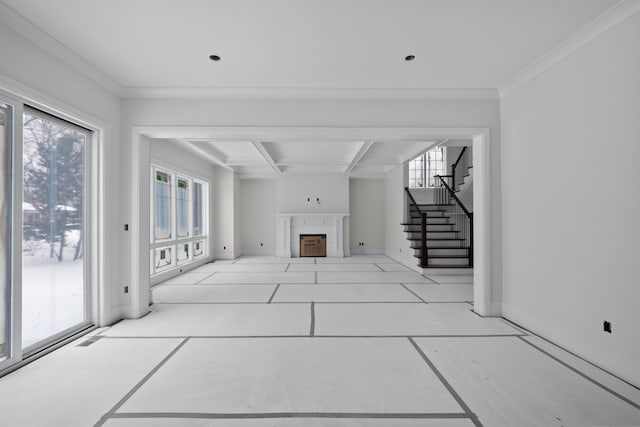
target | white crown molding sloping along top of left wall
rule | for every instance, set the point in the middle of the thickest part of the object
(34, 34)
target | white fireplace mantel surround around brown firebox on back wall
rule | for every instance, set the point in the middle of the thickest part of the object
(291, 225)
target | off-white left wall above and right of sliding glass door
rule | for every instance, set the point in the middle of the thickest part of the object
(27, 64)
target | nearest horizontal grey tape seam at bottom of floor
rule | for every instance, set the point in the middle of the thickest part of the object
(272, 415)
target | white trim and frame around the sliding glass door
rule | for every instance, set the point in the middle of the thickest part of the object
(18, 94)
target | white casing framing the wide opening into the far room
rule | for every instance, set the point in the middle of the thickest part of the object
(482, 206)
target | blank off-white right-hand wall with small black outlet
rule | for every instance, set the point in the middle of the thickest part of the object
(571, 201)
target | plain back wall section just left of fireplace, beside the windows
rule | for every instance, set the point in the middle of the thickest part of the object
(257, 216)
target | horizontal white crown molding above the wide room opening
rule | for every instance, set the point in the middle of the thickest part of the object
(308, 93)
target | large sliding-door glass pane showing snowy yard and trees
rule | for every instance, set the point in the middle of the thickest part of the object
(54, 292)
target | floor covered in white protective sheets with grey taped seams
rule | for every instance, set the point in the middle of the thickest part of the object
(359, 341)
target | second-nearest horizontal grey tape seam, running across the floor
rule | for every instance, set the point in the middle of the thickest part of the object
(315, 336)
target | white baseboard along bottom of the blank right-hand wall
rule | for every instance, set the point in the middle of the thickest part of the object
(618, 366)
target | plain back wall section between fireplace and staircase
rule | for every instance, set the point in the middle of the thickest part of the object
(367, 219)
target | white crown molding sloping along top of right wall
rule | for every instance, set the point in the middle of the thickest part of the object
(591, 31)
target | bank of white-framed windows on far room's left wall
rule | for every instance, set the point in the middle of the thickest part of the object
(179, 228)
